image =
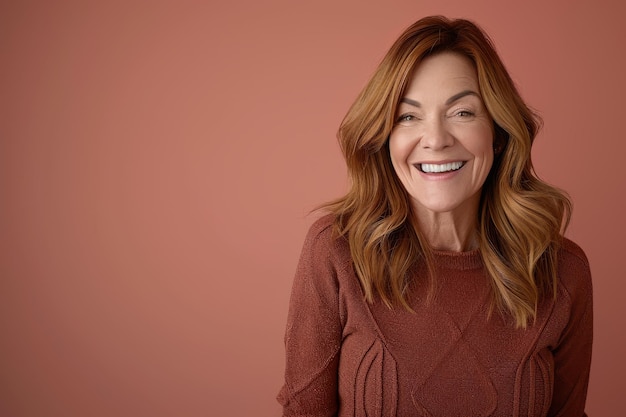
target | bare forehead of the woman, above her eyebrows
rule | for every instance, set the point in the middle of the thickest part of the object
(443, 73)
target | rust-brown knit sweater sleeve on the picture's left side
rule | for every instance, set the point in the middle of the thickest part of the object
(313, 335)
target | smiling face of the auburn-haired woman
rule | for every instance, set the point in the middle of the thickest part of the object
(441, 145)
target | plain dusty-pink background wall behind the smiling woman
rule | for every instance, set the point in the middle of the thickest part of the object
(158, 161)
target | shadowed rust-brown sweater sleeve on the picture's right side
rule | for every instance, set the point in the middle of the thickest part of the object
(572, 356)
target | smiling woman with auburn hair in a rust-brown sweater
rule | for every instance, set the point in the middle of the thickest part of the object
(440, 285)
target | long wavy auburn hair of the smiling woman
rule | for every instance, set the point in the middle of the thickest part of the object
(520, 218)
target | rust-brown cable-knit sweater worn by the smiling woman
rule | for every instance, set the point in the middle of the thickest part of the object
(346, 357)
